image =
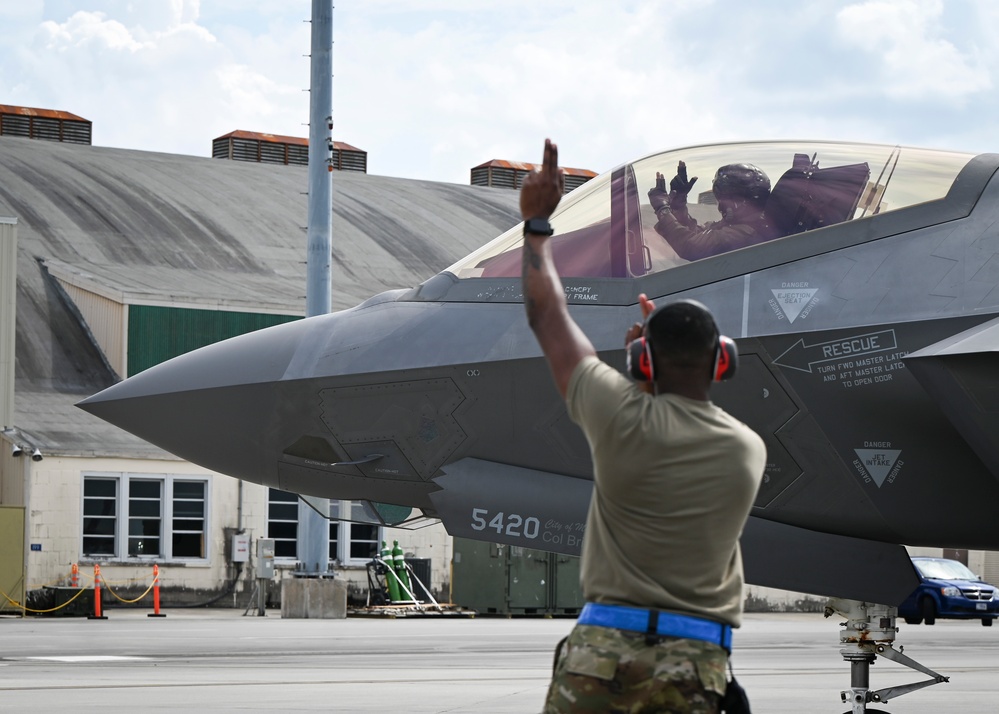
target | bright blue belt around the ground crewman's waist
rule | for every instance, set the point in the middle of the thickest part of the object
(656, 623)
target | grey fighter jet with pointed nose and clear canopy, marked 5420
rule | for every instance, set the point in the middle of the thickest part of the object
(866, 326)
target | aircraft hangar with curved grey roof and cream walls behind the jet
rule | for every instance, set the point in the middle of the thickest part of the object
(126, 258)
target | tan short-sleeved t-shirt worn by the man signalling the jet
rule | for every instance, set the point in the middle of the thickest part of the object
(674, 481)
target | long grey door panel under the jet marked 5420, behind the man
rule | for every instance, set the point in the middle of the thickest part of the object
(537, 509)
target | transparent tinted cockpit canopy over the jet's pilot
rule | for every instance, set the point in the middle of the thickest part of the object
(606, 227)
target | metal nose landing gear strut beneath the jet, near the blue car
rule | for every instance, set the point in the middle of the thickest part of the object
(868, 632)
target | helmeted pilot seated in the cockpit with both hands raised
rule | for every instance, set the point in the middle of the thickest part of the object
(741, 190)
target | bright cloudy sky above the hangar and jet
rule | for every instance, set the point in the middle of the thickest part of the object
(431, 88)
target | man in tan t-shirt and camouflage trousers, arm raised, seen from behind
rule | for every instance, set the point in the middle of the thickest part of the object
(674, 480)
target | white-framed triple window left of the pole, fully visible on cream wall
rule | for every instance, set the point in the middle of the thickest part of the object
(145, 517)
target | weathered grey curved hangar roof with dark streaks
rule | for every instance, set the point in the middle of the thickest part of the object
(165, 229)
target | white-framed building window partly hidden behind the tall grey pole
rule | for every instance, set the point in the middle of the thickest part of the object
(350, 543)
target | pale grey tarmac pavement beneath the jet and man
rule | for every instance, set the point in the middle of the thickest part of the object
(220, 660)
